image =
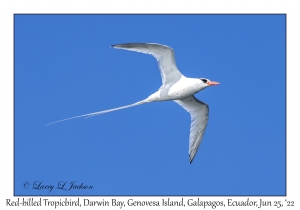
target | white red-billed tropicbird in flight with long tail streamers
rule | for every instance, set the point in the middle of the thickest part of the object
(175, 86)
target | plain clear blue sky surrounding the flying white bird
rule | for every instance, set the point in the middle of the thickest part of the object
(64, 67)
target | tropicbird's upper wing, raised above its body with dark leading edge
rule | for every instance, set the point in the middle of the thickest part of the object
(164, 55)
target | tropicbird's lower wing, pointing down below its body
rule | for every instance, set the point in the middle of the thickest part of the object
(199, 115)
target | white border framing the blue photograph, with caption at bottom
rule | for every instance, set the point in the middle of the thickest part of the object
(9, 8)
